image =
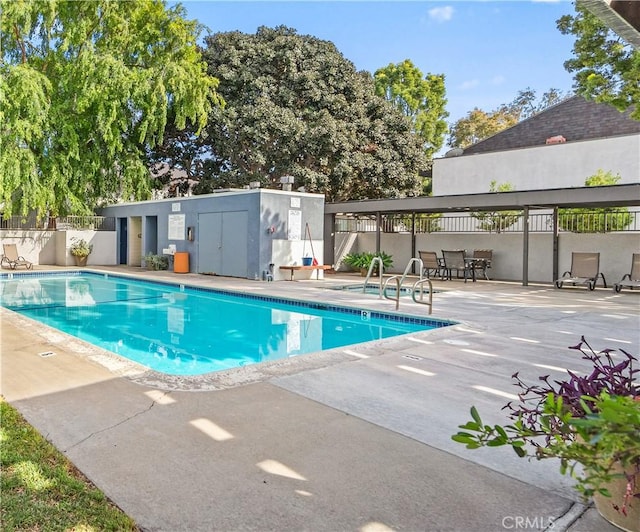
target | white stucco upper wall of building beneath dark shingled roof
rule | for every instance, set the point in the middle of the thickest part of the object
(540, 167)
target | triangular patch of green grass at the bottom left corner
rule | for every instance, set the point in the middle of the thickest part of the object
(42, 490)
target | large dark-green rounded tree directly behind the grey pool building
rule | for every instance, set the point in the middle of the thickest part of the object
(295, 106)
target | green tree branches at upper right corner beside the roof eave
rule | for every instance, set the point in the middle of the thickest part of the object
(606, 68)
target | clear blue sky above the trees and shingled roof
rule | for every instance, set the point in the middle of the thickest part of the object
(488, 50)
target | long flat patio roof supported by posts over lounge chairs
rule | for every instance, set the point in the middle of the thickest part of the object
(588, 197)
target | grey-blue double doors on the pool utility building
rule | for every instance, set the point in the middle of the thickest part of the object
(222, 243)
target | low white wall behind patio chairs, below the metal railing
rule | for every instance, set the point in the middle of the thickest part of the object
(615, 251)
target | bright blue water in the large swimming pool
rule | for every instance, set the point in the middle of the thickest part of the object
(182, 330)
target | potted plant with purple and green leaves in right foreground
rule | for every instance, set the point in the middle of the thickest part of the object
(591, 423)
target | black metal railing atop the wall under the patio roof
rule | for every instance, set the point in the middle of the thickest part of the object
(496, 222)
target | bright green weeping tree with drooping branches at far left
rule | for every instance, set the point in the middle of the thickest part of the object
(85, 88)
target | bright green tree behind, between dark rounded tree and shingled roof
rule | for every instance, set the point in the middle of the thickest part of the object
(420, 98)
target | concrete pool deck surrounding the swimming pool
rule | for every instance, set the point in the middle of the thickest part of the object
(352, 439)
